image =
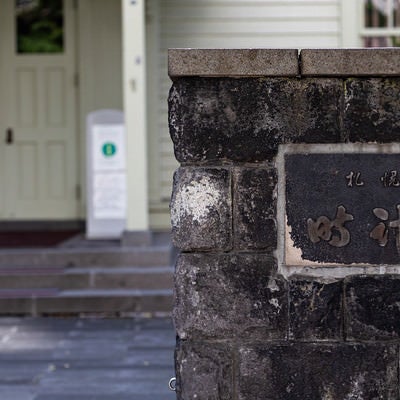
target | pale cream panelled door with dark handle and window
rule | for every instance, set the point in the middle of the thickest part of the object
(38, 137)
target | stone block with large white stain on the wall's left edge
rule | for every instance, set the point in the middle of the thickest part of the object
(201, 209)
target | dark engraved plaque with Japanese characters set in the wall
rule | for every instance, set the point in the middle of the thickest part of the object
(342, 208)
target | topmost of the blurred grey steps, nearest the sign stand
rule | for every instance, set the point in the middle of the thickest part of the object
(69, 257)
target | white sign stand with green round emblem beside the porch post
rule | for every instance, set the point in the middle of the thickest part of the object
(106, 174)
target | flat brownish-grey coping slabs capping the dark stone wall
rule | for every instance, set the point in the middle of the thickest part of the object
(283, 62)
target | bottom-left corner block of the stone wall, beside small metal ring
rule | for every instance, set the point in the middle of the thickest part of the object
(204, 371)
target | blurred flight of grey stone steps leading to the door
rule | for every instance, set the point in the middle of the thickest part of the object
(82, 276)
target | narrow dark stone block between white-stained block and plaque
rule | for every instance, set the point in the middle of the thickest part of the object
(254, 208)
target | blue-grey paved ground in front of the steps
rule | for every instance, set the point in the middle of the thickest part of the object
(86, 359)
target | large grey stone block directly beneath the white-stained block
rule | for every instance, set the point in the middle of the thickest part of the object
(226, 296)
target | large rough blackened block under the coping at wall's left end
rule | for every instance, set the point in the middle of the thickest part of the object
(234, 119)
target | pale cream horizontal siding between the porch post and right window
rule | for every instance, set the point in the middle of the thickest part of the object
(235, 24)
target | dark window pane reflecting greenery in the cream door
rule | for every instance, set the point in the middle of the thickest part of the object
(40, 26)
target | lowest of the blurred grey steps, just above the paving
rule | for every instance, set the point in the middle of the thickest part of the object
(41, 302)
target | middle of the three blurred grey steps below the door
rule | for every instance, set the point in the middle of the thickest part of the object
(29, 277)
